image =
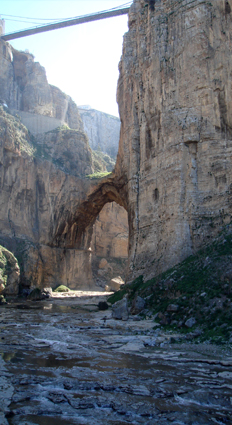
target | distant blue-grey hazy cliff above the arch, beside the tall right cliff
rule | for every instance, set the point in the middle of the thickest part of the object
(102, 130)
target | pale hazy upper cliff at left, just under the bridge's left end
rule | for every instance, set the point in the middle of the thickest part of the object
(24, 87)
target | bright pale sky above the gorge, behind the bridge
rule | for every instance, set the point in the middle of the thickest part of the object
(81, 60)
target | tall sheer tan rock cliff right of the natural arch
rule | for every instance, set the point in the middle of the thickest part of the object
(175, 151)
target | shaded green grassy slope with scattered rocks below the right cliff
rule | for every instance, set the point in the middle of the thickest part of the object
(201, 287)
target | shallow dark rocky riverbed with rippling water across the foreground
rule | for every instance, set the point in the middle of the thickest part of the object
(65, 362)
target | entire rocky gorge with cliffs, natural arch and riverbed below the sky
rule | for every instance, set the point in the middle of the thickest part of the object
(80, 208)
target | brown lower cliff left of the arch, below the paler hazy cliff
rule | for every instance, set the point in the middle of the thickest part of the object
(35, 191)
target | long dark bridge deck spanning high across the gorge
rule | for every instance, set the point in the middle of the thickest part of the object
(67, 23)
